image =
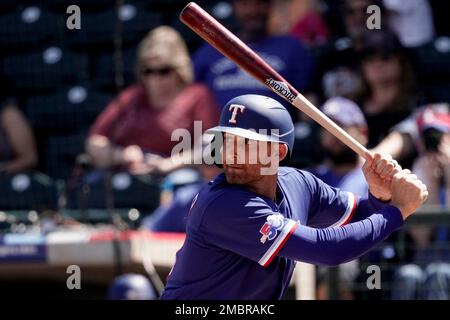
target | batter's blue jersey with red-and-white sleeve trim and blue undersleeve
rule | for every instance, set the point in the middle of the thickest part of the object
(235, 238)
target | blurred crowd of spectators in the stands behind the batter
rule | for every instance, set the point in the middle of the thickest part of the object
(387, 87)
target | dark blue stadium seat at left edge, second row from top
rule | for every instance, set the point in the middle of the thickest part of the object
(45, 70)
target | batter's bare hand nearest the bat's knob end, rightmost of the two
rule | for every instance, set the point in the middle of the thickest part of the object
(408, 192)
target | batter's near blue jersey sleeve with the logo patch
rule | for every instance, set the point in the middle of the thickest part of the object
(246, 225)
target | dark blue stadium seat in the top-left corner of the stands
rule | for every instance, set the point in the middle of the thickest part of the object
(27, 27)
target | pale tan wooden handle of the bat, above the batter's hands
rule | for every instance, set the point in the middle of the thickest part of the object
(307, 107)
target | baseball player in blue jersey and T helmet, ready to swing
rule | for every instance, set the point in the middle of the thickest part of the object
(246, 228)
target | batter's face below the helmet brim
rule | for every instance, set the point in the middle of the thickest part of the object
(246, 161)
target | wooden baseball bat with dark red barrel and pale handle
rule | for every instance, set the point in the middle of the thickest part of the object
(237, 51)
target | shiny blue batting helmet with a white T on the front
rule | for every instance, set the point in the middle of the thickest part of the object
(259, 118)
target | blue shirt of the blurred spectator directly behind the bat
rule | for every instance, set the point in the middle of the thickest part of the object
(226, 80)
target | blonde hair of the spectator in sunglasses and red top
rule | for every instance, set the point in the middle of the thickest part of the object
(166, 44)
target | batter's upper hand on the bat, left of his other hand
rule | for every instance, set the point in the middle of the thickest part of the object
(379, 170)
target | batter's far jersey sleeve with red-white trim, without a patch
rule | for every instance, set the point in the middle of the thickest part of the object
(329, 206)
